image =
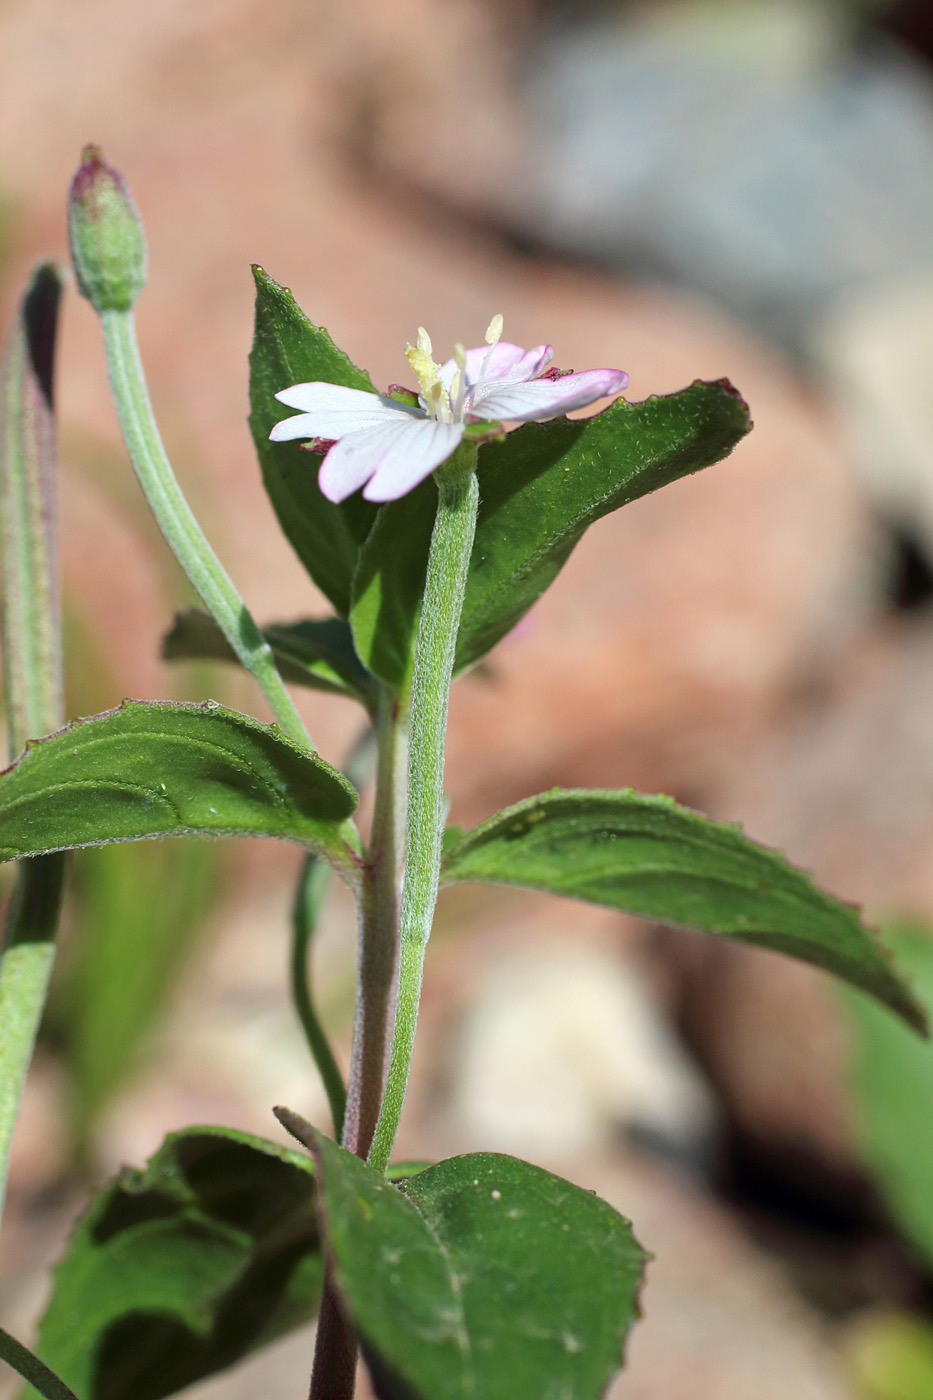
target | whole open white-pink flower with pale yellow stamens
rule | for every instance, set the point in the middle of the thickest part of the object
(387, 447)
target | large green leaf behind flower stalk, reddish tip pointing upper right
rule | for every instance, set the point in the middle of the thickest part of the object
(540, 489)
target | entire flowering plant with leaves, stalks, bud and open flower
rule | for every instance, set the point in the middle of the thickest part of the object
(480, 1276)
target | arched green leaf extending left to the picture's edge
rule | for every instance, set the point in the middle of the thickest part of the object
(163, 769)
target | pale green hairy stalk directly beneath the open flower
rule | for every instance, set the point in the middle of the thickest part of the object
(449, 561)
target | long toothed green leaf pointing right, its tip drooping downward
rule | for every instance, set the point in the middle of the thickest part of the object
(652, 857)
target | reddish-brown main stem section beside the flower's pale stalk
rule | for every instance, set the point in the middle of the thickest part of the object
(379, 933)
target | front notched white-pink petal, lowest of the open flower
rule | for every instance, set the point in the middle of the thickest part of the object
(389, 460)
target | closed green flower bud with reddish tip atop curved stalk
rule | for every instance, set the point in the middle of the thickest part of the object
(109, 246)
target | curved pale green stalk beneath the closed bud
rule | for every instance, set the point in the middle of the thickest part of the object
(180, 527)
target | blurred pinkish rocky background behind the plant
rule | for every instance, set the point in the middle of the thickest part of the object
(686, 190)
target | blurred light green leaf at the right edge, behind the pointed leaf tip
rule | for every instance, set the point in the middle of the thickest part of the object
(892, 1080)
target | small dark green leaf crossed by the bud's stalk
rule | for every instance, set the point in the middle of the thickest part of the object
(316, 653)
